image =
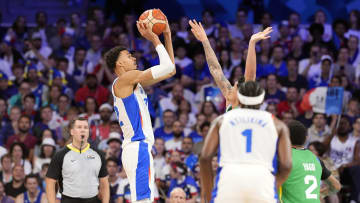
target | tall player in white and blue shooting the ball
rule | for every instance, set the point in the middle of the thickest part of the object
(131, 106)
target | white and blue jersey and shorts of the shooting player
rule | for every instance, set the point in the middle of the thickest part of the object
(134, 118)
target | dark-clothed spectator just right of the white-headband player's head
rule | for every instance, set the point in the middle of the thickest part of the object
(273, 93)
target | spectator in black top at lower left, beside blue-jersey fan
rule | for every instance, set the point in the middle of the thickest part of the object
(16, 186)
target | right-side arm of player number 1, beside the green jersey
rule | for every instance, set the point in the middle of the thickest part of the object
(284, 153)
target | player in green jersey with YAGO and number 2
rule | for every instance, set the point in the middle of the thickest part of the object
(303, 183)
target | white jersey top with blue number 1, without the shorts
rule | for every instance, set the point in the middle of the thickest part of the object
(248, 137)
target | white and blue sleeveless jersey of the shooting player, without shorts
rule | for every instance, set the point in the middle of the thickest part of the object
(133, 116)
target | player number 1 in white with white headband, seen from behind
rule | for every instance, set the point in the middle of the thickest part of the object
(251, 143)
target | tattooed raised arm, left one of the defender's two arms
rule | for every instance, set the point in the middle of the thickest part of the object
(214, 65)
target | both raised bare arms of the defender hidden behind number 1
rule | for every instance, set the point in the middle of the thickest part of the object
(228, 91)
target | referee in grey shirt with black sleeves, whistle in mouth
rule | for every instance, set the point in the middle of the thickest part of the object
(80, 171)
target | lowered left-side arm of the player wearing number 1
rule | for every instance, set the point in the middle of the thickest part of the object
(209, 150)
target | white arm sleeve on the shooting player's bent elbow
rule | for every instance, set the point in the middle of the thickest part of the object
(166, 66)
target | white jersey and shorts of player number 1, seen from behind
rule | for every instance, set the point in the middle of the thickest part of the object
(247, 157)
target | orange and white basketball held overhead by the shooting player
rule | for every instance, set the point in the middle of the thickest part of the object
(156, 20)
